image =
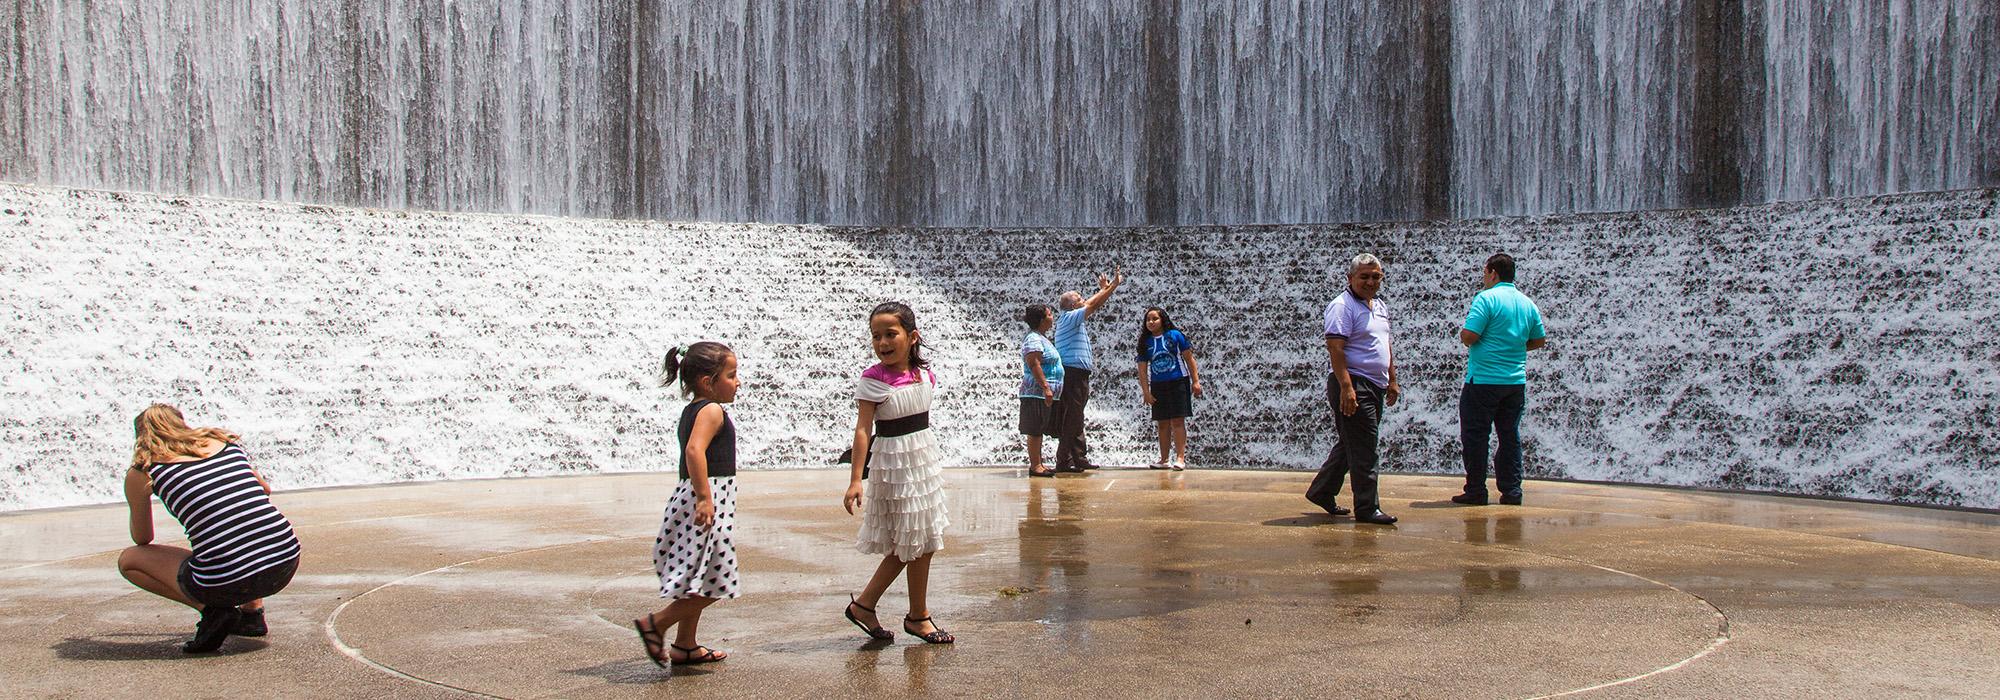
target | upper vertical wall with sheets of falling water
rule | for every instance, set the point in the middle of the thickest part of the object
(1015, 113)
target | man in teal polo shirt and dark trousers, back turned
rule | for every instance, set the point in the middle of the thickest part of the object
(1501, 327)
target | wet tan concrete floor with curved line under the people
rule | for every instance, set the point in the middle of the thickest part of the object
(1119, 583)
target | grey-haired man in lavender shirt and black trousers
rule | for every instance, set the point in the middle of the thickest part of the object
(1361, 383)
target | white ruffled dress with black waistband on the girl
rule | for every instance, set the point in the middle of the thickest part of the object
(903, 505)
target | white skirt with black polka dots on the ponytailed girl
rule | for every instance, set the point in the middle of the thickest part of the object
(693, 561)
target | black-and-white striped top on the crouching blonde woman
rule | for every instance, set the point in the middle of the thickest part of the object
(231, 523)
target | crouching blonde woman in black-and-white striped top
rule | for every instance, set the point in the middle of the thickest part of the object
(243, 549)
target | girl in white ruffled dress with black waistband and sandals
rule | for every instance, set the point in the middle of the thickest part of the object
(903, 505)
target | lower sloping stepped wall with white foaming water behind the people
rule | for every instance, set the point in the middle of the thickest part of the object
(1833, 347)
